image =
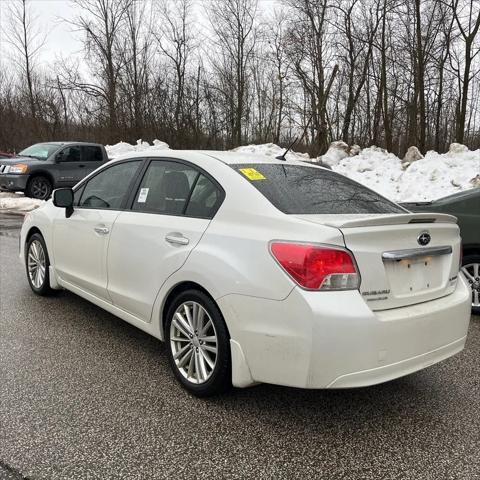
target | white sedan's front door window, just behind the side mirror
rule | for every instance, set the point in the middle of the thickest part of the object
(109, 188)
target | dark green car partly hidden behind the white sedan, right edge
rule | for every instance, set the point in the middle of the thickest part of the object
(466, 207)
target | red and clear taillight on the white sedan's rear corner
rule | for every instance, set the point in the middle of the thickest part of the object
(317, 267)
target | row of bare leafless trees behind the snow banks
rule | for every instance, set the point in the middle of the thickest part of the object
(393, 73)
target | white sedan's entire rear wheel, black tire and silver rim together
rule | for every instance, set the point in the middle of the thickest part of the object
(198, 344)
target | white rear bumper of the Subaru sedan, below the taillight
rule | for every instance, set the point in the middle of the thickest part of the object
(334, 340)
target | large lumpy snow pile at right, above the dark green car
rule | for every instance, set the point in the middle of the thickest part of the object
(434, 176)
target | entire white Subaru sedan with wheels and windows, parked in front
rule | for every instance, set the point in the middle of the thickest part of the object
(254, 269)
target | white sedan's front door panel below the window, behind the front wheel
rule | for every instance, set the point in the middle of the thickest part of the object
(80, 245)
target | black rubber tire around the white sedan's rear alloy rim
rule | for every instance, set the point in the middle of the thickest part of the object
(220, 378)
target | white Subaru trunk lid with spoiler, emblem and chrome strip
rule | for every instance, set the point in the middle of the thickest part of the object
(403, 259)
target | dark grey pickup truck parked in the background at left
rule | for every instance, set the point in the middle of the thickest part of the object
(39, 169)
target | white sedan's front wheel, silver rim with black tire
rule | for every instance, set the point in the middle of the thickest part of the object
(37, 264)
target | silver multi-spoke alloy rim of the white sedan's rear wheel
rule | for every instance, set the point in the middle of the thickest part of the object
(193, 342)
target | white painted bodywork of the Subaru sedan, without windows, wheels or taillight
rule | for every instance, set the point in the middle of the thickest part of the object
(280, 333)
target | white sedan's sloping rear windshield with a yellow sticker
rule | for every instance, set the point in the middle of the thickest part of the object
(296, 189)
